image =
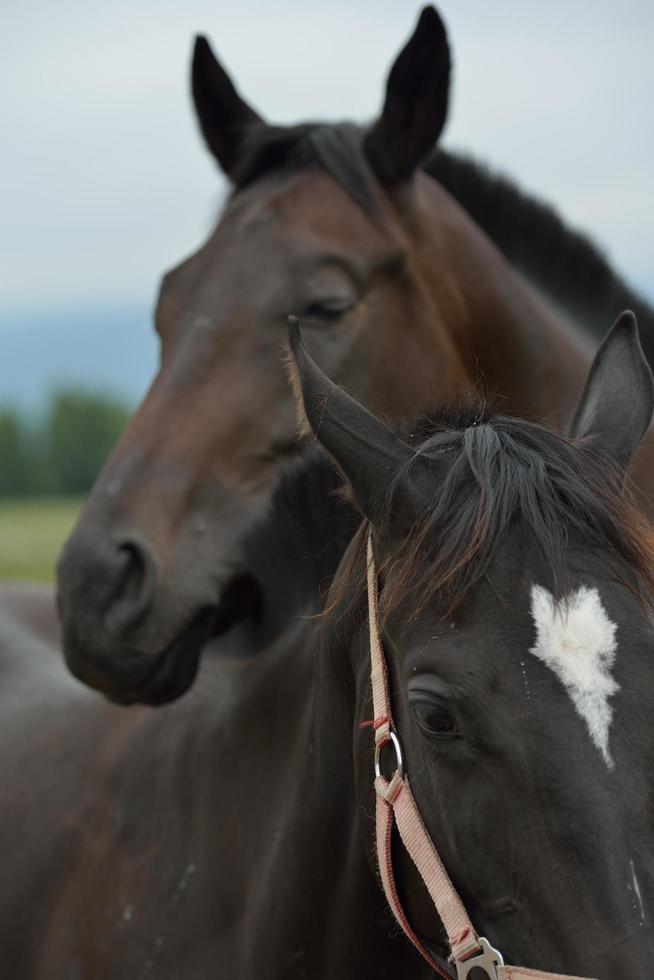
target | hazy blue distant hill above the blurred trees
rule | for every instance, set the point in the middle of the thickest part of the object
(110, 350)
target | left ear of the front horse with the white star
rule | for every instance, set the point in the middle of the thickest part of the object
(367, 451)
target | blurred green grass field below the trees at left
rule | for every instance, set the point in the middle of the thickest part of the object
(31, 535)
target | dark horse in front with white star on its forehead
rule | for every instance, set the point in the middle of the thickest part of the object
(231, 834)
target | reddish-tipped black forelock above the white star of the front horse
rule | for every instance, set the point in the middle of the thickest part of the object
(506, 474)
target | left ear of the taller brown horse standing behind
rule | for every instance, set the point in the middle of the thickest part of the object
(223, 115)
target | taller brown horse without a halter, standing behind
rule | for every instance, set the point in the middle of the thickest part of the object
(402, 294)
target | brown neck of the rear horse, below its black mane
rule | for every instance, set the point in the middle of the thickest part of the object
(510, 340)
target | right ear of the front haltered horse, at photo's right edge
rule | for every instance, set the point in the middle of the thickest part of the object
(616, 405)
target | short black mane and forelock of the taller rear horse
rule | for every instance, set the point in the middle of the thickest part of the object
(565, 264)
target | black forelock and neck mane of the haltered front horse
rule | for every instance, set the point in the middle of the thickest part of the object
(503, 473)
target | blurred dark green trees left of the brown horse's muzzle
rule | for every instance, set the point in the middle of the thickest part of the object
(62, 451)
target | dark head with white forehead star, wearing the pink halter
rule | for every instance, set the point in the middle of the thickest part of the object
(516, 589)
